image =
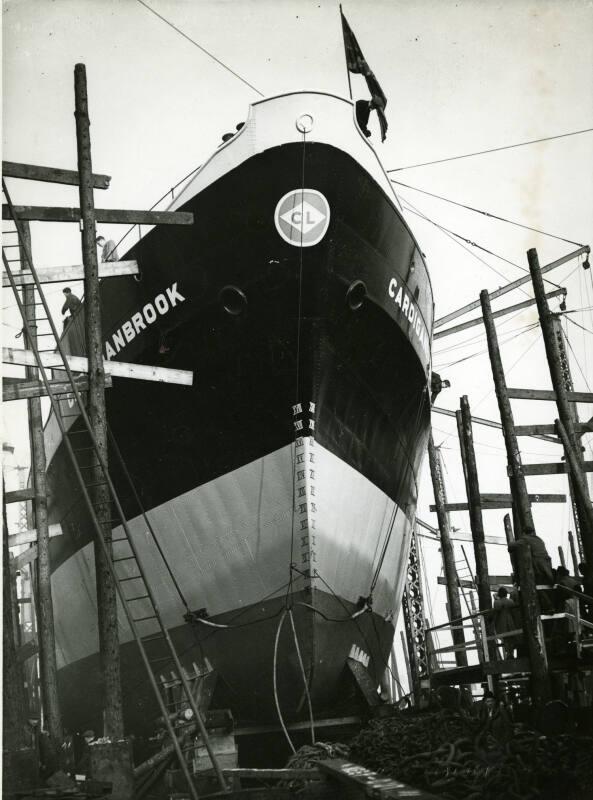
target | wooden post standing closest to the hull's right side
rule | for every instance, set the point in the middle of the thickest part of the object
(454, 602)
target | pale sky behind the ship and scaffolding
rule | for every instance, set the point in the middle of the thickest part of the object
(460, 77)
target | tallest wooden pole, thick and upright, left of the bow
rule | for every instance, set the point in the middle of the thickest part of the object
(106, 591)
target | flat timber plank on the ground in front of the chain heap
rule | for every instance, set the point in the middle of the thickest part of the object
(362, 782)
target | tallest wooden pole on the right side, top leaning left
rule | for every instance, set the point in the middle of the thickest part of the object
(562, 383)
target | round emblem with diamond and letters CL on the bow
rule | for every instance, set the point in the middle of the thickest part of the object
(302, 217)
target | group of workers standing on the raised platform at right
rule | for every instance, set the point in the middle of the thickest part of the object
(507, 609)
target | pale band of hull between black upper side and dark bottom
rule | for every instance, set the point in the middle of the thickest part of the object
(229, 545)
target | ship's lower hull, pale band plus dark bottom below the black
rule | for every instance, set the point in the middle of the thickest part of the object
(353, 544)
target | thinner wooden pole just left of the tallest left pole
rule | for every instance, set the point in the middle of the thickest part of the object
(44, 603)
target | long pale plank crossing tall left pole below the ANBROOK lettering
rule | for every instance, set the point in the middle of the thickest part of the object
(118, 369)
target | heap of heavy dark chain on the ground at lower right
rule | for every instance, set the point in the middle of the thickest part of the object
(447, 752)
